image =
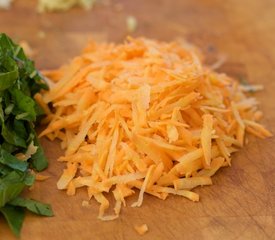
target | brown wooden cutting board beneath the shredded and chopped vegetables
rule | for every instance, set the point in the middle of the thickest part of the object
(241, 203)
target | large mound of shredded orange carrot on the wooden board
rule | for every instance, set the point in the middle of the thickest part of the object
(144, 115)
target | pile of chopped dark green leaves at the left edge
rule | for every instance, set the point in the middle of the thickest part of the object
(19, 82)
